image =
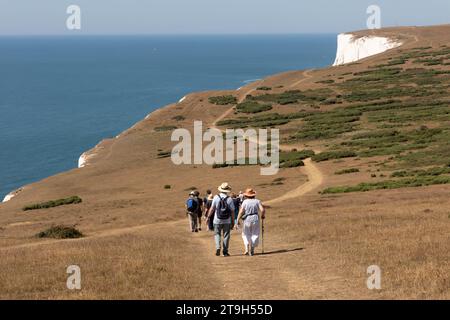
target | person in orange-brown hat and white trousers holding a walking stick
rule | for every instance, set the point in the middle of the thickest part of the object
(249, 213)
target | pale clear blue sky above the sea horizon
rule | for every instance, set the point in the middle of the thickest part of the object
(29, 17)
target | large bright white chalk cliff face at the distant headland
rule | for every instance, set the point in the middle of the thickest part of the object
(351, 48)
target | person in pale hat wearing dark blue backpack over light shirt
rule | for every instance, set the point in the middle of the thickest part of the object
(222, 213)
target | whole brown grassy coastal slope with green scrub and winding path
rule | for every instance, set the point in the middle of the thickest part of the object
(376, 131)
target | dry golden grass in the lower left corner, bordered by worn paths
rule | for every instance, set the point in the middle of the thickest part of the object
(154, 263)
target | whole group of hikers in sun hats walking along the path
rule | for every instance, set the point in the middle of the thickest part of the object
(227, 211)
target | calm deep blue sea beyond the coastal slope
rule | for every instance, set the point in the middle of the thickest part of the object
(59, 96)
